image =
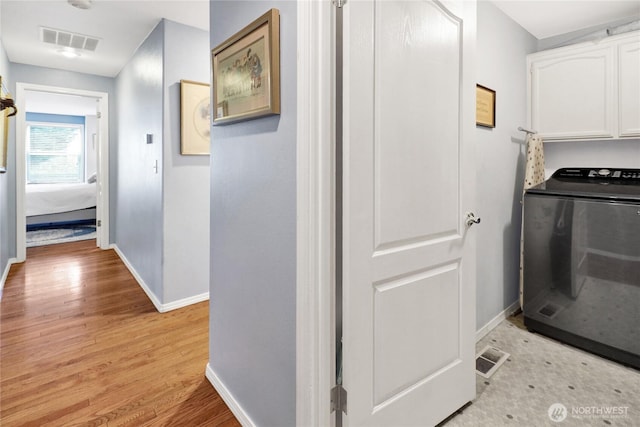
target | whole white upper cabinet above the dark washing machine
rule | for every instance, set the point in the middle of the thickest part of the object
(586, 91)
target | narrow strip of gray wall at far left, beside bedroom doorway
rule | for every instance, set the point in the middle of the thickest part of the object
(7, 182)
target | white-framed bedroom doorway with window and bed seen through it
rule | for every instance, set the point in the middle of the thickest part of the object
(69, 183)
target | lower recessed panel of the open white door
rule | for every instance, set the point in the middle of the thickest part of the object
(400, 361)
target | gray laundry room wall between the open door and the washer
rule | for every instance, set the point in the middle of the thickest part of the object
(502, 46)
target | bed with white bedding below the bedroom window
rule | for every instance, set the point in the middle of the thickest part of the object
(48, 204)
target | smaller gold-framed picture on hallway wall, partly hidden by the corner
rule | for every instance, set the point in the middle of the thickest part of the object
(195, 118)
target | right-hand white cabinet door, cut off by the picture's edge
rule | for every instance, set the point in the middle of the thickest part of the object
(629, 88)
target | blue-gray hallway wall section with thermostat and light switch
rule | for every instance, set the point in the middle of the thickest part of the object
(138, 213)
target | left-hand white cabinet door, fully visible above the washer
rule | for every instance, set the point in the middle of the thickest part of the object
(572, 95)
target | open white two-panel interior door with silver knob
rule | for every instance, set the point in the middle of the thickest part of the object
(408, 255)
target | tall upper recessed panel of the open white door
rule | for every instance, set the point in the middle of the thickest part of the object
(416, 65)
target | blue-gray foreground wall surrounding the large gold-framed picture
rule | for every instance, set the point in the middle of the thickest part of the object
(253, 241)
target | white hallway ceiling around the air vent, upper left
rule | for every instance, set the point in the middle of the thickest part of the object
(120, 25)
